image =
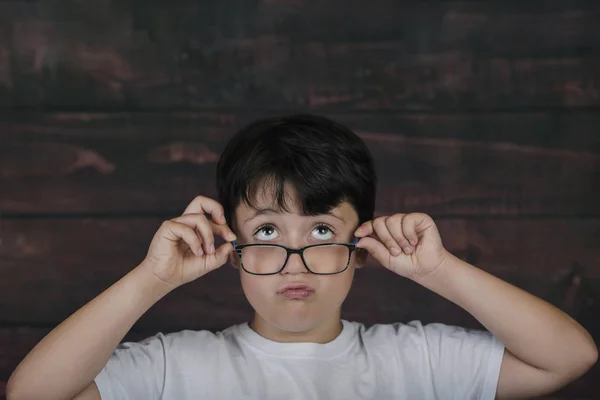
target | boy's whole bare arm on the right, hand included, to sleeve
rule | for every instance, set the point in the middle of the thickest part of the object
(545, 348)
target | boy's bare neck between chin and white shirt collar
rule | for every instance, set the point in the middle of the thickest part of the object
(321, 333)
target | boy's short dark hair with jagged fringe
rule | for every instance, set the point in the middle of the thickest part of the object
(325, 162)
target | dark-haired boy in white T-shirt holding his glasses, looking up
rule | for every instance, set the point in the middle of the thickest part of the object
(296, 203)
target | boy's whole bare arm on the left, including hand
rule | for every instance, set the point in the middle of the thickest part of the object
(65, 363)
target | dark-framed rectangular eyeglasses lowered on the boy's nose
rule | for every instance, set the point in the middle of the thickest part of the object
(270, 259)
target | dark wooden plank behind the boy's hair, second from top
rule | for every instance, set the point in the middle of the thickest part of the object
(445, 164)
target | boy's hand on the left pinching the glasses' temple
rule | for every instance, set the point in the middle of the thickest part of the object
(182, 249)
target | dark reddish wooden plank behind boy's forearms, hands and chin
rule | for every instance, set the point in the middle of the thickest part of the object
(51, 267)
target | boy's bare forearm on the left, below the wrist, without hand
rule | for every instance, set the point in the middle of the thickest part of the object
(72, 355)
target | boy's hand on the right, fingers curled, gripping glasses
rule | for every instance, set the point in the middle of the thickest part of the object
(407, 244)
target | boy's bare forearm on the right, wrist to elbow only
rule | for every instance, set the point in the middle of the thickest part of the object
(532, 329)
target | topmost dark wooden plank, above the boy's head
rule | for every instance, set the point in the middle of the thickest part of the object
(441, 55)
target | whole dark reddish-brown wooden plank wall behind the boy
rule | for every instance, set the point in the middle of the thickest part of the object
(113, 114)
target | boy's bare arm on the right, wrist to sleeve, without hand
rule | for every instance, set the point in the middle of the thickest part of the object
(546, 349)
